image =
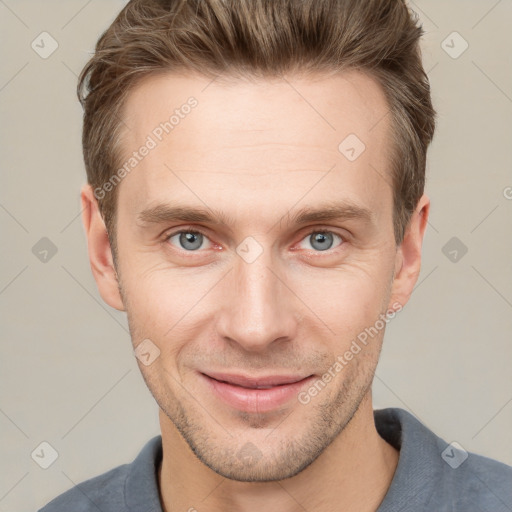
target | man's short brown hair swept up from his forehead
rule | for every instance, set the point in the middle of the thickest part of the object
(261, 38)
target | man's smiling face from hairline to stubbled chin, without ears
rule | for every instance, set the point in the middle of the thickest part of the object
(257, 294)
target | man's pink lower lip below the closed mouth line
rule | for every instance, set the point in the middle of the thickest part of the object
(256, 400)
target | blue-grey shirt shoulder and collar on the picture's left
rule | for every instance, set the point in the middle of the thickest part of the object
(129, 487)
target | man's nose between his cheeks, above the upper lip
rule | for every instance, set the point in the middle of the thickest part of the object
(259, 309)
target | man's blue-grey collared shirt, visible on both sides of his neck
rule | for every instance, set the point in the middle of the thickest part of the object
(431, 476)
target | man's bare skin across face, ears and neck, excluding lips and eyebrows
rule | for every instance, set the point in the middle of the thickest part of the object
(259, 151)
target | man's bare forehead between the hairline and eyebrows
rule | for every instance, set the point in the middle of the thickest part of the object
(248, 144)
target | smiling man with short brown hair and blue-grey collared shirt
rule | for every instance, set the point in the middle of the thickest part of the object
(255, 204)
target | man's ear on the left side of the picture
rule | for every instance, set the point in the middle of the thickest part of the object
(100, 252)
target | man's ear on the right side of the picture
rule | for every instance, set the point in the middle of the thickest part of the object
(408, 255)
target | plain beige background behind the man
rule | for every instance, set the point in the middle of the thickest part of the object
(68, 376)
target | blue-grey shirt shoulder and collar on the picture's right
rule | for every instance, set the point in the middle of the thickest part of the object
(436, 475)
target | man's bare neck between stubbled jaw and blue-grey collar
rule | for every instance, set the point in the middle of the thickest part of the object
(353, 473)
